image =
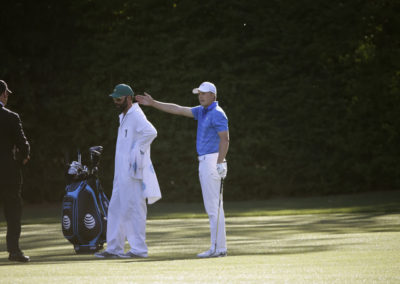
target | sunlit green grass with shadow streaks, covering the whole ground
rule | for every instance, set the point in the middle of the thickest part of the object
(349, 241)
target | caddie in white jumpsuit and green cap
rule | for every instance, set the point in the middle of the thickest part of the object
(134, 180)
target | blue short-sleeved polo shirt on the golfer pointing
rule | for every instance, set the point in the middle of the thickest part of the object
(210, 121)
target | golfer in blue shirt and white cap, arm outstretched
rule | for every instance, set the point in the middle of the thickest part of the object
(212, 144)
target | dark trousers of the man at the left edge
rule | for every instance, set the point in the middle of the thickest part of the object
(12, 203)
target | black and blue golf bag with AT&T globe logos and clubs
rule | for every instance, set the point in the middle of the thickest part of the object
(84, 206)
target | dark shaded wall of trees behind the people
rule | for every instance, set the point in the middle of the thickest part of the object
(311, 89)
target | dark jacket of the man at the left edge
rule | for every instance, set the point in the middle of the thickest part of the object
(14, 147)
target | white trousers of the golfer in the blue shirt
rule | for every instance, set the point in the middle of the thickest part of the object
(210, 186)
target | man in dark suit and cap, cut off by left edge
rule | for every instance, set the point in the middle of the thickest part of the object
(14, 153)
